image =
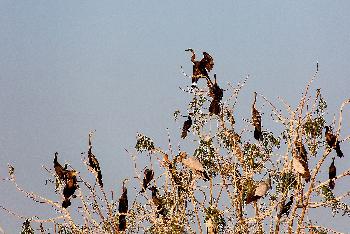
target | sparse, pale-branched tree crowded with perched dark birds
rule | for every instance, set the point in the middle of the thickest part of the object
(240, 177)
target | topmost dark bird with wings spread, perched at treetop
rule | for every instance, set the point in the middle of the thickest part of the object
(202, 67)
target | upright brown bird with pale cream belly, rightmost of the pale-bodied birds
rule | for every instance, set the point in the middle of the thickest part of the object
(300, 163)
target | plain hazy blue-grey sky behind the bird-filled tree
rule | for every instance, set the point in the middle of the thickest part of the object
(67, 67)
